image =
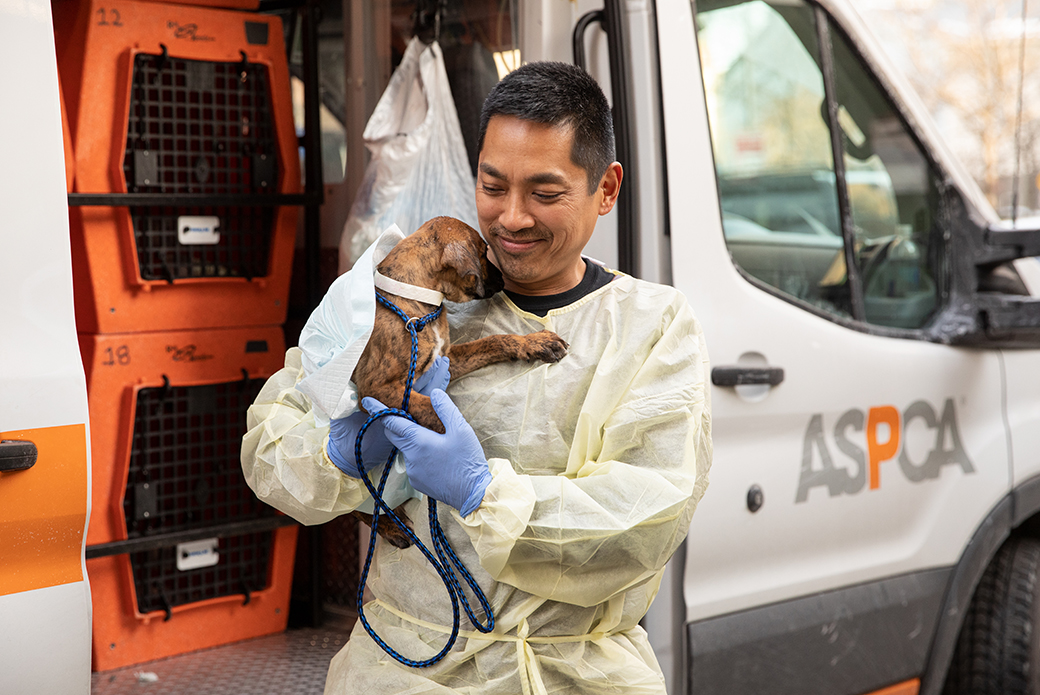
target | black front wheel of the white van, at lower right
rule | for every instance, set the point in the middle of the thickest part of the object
(999, 649)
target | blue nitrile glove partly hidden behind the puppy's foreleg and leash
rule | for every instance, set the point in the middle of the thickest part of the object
(376, 449)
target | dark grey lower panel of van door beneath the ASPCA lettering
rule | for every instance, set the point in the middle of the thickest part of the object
(844, 642)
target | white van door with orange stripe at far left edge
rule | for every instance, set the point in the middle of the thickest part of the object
(45, 600)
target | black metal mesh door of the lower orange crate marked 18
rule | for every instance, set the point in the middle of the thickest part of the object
(185, 475)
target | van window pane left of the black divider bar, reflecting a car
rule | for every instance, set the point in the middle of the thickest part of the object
(773, 148)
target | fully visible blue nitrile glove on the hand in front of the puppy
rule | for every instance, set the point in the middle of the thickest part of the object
(451, 467)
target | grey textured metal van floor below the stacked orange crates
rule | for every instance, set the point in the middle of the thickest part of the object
(291, 663)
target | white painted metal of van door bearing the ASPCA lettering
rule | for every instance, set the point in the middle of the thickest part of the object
(812, 534)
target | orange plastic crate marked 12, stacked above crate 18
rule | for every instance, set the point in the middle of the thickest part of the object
(178, 100)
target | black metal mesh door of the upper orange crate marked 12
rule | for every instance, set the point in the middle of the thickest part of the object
(201, 127)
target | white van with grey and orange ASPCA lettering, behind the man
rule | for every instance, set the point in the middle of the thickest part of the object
(870, 526)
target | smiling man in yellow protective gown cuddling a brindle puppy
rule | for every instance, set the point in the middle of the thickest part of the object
(578, 480)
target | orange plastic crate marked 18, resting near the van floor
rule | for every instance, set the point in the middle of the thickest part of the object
(168, 413)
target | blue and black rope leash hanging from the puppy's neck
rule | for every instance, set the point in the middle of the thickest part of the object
(446, 556)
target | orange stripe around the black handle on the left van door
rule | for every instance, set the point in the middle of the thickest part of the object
(43, 512)
